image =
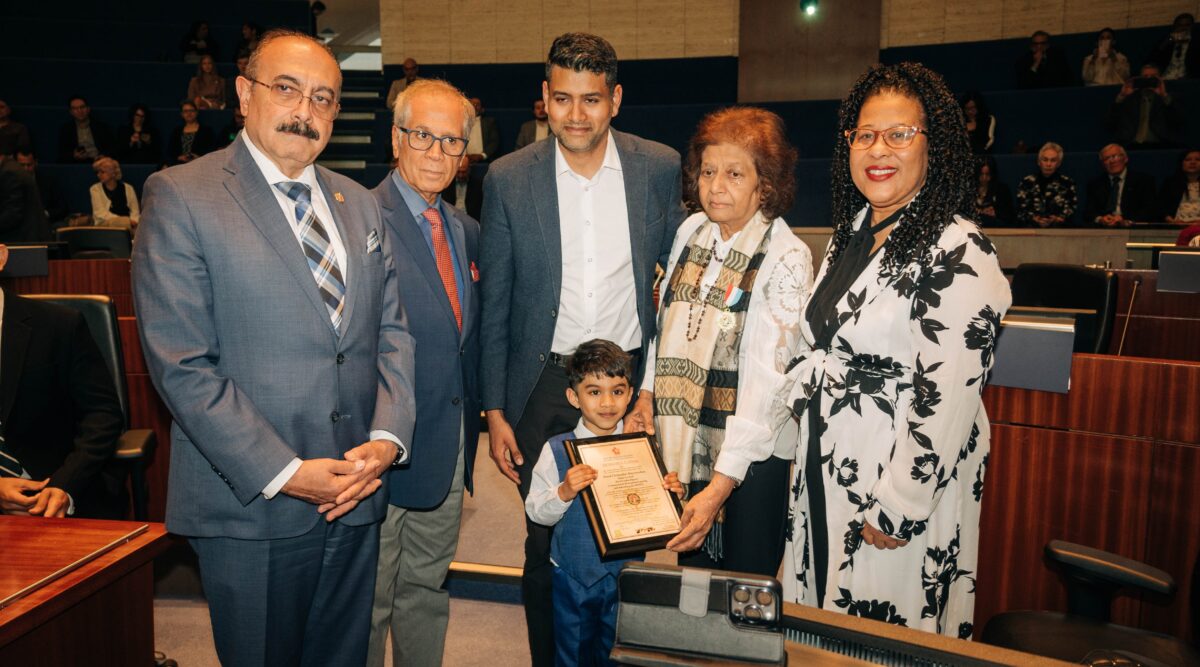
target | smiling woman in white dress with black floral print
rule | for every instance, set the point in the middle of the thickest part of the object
(902, 325)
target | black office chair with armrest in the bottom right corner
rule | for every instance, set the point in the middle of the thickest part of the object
(1084, 634)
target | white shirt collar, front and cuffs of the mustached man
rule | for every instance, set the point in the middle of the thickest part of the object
(321, 207)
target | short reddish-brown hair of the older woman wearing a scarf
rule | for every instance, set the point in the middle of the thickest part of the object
(763, 135)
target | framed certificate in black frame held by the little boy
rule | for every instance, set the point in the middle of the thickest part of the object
(627, 506)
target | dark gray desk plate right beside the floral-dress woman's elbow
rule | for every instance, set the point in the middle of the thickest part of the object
(1035, 352)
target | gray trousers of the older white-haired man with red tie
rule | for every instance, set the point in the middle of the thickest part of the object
(416, 550)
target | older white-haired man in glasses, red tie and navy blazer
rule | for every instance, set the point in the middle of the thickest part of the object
(437, 248)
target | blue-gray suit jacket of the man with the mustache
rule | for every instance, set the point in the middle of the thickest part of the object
(243, 352)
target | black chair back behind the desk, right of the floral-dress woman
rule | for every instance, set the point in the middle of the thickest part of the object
(1066, 286)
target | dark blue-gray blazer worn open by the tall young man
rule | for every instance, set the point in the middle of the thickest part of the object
(521, 262)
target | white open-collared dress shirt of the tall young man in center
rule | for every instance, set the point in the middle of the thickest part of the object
(598, 299)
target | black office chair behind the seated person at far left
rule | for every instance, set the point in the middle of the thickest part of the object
(136, 444)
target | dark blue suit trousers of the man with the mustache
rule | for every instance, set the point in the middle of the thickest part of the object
(296, 602)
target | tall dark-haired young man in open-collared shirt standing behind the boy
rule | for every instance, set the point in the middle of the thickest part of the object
(572, 233)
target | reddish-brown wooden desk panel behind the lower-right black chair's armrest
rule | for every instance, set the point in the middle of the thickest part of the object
(1048, 485)
